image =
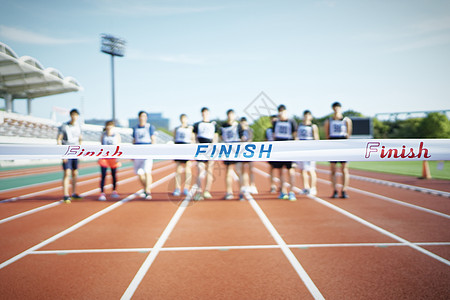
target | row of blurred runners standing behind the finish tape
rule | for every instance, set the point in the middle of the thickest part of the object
(233, 130)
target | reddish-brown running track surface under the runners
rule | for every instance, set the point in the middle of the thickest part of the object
(370, 246)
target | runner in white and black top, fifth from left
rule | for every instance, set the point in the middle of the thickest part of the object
(206, 131)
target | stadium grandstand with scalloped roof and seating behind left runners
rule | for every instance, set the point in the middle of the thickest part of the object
(25, 78)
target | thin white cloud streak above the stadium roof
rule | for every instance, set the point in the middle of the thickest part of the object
(29, 37)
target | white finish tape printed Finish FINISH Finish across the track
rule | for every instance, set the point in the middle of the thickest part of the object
(322, 150)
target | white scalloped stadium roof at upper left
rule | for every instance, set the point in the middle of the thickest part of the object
(25, 77)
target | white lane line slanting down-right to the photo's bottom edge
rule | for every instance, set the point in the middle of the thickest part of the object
(287, 252)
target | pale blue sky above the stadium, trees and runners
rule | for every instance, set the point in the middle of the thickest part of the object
(372, 56)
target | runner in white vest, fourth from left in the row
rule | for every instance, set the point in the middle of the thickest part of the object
(183, 135)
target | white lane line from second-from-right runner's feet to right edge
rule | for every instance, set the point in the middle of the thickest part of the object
(380, 230)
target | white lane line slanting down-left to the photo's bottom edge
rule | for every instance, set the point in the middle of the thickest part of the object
(156, 249)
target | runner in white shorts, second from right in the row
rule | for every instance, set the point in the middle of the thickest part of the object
(308, 131)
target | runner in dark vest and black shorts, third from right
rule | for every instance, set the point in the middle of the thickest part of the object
(285, 129)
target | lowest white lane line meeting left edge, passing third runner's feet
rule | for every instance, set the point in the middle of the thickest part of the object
(79, 224)
